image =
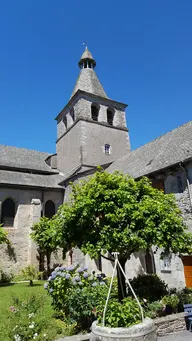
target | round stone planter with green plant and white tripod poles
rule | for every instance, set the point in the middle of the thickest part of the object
(123, 320)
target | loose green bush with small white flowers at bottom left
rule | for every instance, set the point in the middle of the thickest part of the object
(28, 322)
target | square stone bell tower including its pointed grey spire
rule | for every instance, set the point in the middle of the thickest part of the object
(91, 128)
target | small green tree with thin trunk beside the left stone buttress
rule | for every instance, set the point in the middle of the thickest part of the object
(46, 236)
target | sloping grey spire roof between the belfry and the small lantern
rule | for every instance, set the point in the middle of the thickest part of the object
(88, 81)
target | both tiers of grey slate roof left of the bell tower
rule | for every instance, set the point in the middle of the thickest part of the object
(25, 167)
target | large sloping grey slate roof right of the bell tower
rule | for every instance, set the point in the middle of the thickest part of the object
(163, 152)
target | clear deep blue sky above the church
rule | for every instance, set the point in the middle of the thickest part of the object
(143, 51)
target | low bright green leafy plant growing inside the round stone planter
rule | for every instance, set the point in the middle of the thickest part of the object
(118, 314)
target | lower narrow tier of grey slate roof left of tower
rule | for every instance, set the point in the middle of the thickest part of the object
(51, 181)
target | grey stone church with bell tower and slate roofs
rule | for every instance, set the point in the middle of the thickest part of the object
(92, 131)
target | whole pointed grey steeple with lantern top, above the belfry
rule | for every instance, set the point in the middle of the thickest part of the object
(88, 80)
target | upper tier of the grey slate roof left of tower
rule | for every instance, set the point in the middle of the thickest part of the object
(21, 158)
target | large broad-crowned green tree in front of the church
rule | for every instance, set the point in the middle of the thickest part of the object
(113, 212)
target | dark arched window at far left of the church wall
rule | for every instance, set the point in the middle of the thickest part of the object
(8, 213)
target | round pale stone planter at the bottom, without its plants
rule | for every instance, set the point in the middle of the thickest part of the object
(145, 331)
